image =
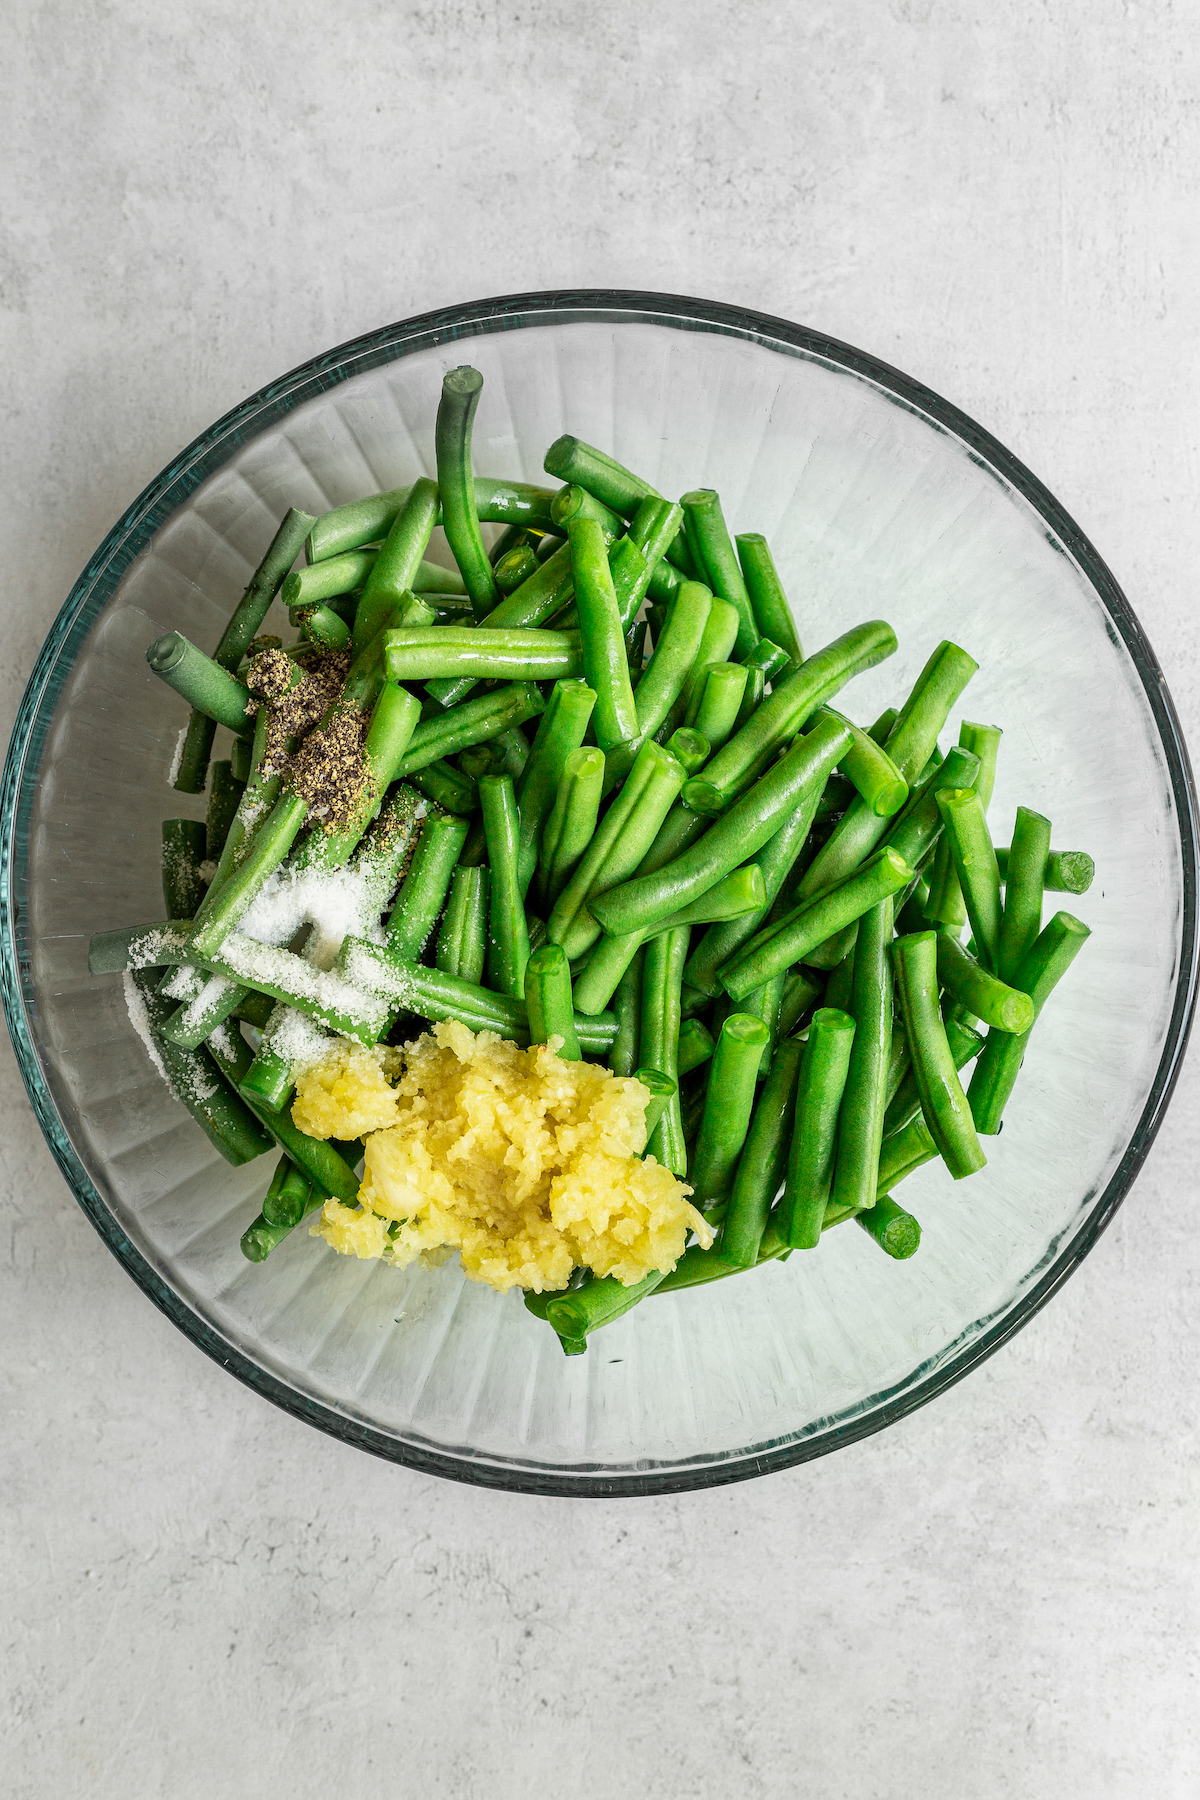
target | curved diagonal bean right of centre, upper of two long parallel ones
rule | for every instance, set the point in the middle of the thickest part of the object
(751, 750)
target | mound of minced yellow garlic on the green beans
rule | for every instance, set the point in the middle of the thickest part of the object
(524, 1164)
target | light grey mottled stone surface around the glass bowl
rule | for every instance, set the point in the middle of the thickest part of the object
(999, 1596)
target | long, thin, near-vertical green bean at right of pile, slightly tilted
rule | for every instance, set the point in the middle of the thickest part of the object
(864, 1102)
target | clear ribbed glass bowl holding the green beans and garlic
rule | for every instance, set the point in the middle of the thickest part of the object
(879, 499)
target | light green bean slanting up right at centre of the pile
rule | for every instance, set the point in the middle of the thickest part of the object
(616, 850)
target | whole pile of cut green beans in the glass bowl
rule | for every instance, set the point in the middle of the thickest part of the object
(609, 804)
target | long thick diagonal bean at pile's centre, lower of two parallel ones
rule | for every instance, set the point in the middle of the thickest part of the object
(737, 836)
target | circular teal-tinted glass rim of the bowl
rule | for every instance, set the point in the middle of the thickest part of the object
(202, 458)
